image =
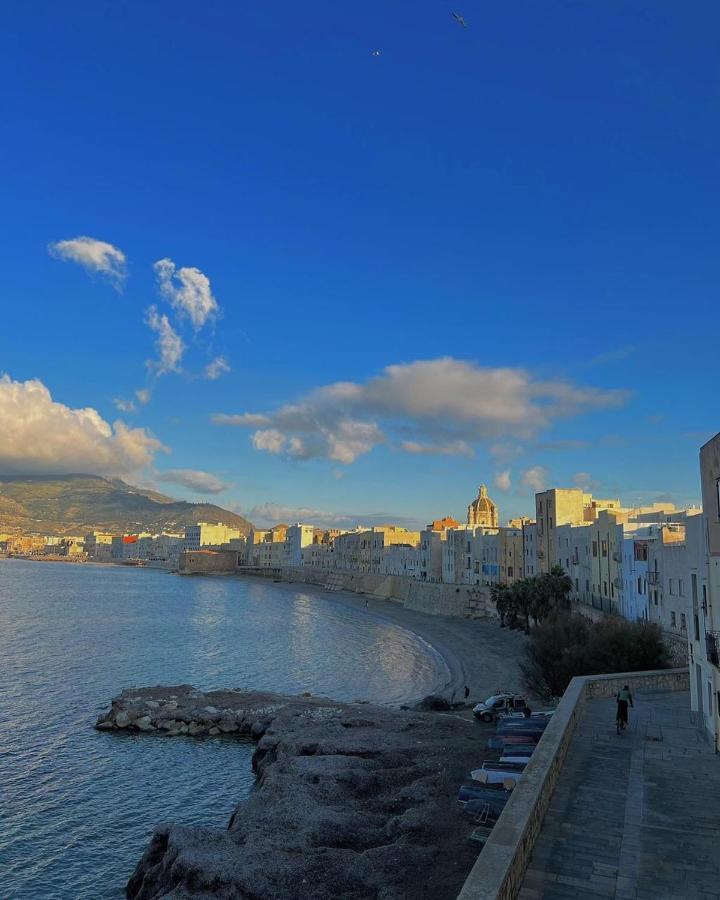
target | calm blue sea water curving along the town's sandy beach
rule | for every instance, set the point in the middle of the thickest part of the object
(77, 806)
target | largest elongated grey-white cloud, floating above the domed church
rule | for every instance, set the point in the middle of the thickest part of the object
(439, 406)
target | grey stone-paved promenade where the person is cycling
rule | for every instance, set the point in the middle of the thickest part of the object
(635, 816)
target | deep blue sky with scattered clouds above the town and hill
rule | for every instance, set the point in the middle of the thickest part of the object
(531, 199)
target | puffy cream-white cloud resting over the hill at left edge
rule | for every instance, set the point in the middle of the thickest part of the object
(39, 435)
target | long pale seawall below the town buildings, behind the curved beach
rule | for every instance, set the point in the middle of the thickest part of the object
(461, 601)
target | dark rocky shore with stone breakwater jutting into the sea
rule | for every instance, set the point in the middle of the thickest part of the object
(352, 800)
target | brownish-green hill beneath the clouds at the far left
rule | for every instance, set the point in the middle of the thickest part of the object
(72, 504)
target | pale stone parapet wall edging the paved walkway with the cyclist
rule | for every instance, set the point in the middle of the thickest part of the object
(499, 871)
